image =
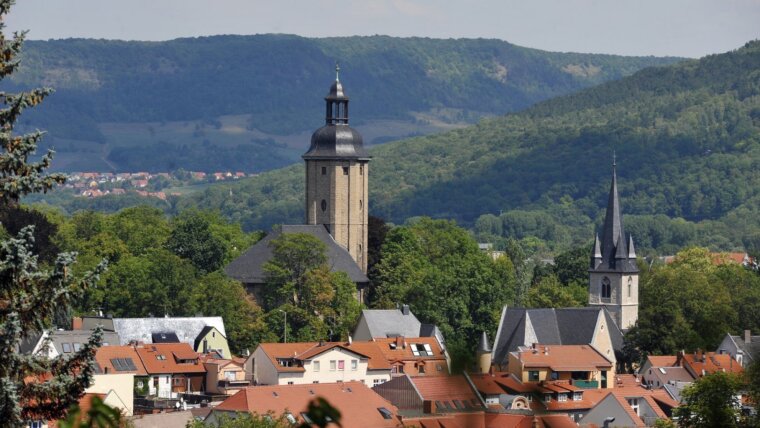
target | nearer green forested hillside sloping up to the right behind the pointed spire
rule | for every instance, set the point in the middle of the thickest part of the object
(687, 138)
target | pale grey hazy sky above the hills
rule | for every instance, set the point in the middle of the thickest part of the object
(630, 27)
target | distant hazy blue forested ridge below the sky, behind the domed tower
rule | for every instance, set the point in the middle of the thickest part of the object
(244, 102)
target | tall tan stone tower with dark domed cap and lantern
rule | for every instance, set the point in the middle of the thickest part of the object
(336, 178)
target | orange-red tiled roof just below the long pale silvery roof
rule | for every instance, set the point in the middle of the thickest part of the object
(159, 358)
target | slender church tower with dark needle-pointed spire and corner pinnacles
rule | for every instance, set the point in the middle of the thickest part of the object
(613, 274)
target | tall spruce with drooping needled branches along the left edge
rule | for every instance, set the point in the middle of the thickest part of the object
(32, 387)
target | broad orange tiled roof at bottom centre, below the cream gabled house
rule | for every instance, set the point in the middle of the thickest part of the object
(359, 406)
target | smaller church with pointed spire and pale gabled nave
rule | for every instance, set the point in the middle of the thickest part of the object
(613, 300)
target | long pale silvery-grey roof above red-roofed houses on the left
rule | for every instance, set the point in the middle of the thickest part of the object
(186, 328)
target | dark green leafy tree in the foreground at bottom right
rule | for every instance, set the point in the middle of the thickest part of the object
(711, 401)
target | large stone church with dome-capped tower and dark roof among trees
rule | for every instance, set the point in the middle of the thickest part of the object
(337, 172)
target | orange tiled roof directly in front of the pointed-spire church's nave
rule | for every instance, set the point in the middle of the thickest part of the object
(562, 358)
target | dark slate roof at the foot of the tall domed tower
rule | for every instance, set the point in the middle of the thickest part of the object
(248, 268)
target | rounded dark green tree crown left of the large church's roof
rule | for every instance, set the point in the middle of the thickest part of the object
(191, 239)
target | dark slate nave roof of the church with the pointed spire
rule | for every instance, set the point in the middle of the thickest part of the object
(561, 326)
